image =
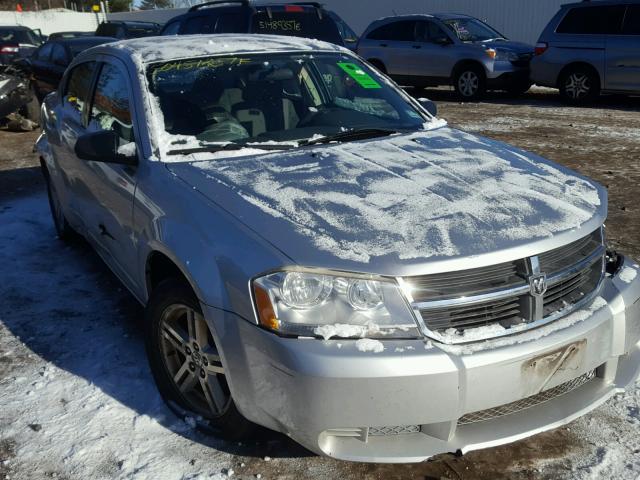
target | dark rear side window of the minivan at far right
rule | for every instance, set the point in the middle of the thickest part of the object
(593, 20)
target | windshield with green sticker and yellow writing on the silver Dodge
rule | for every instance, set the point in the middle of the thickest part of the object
(274, 98)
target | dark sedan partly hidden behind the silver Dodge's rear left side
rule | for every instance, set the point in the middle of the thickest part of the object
(48, 63)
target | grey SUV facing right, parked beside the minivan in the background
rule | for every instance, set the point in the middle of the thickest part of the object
(447, 49)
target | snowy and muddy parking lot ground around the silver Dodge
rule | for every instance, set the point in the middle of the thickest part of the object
(77, 398)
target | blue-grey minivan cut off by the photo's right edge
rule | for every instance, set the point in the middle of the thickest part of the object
(589, 48)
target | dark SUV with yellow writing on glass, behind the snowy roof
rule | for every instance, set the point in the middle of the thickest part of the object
(303, 19)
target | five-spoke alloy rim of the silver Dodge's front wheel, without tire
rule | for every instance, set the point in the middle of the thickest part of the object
(193, 361)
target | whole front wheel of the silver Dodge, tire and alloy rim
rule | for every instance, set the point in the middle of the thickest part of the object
(186, 364)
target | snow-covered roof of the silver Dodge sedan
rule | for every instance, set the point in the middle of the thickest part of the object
(167, 48)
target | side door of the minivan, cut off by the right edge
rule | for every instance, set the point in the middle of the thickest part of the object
(623, 54)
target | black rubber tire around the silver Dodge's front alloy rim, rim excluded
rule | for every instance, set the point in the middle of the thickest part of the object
(231, 424)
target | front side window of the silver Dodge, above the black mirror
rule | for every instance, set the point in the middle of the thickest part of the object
(110, 109)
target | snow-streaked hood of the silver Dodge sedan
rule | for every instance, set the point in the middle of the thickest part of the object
(407, 204)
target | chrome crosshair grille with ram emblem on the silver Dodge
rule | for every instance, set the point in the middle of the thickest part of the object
(501, 294)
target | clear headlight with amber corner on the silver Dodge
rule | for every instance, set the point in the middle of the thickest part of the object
(303, 303)
